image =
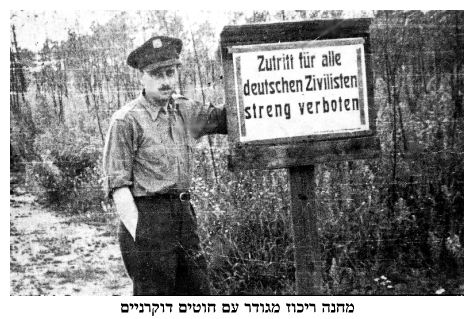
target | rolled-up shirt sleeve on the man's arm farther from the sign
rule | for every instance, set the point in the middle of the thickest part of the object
(118, 155)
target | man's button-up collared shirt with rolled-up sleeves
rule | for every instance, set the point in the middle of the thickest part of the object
(149, 148)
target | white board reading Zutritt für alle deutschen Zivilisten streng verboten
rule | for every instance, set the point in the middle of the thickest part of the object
(301, 88)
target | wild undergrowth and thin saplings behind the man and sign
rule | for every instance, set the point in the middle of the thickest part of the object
(391, 225)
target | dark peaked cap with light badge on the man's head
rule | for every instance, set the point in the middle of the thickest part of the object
(157, 52)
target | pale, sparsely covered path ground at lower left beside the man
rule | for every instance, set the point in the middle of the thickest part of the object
(52, 254)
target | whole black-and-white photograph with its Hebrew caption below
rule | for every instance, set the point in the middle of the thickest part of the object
(237, 153)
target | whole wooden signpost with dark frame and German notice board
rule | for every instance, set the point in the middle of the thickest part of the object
(297, 94)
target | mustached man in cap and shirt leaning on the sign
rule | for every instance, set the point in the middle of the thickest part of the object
(147, 165)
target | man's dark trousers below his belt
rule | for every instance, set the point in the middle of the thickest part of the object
(165, 258)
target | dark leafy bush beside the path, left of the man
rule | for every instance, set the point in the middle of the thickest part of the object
(68, 176)
